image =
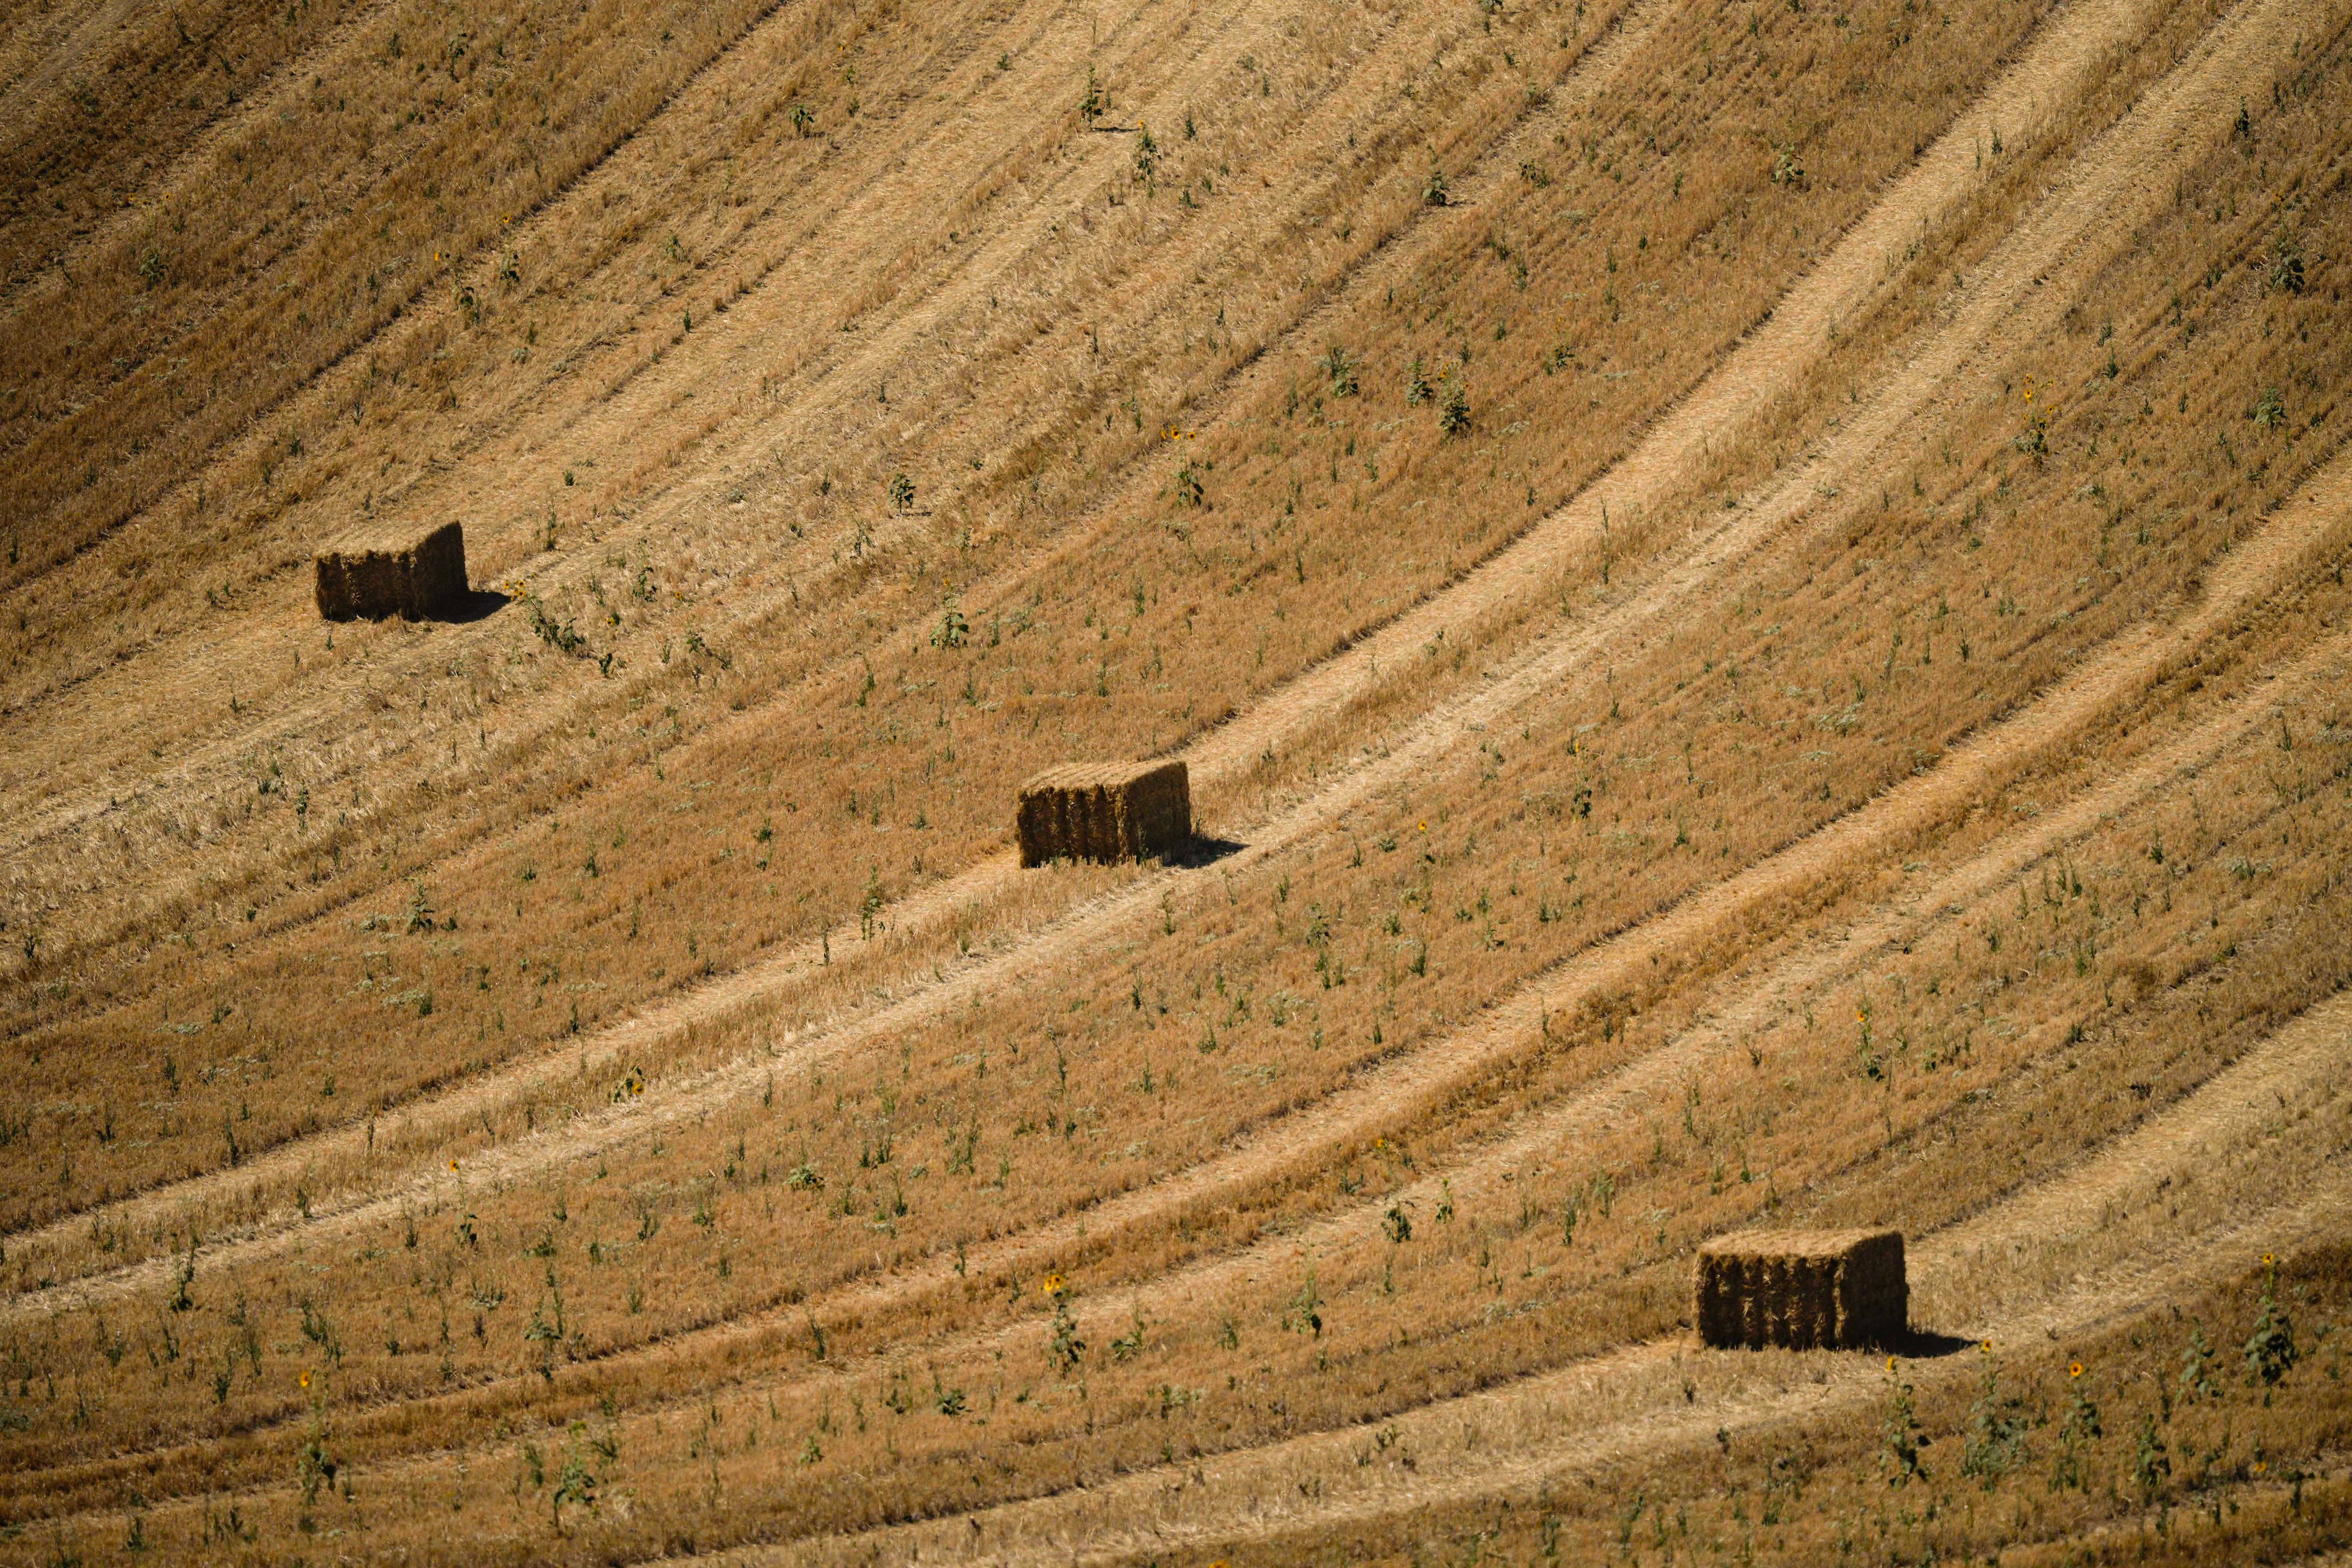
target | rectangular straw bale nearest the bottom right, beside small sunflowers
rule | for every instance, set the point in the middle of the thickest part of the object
(1803, 1289)
